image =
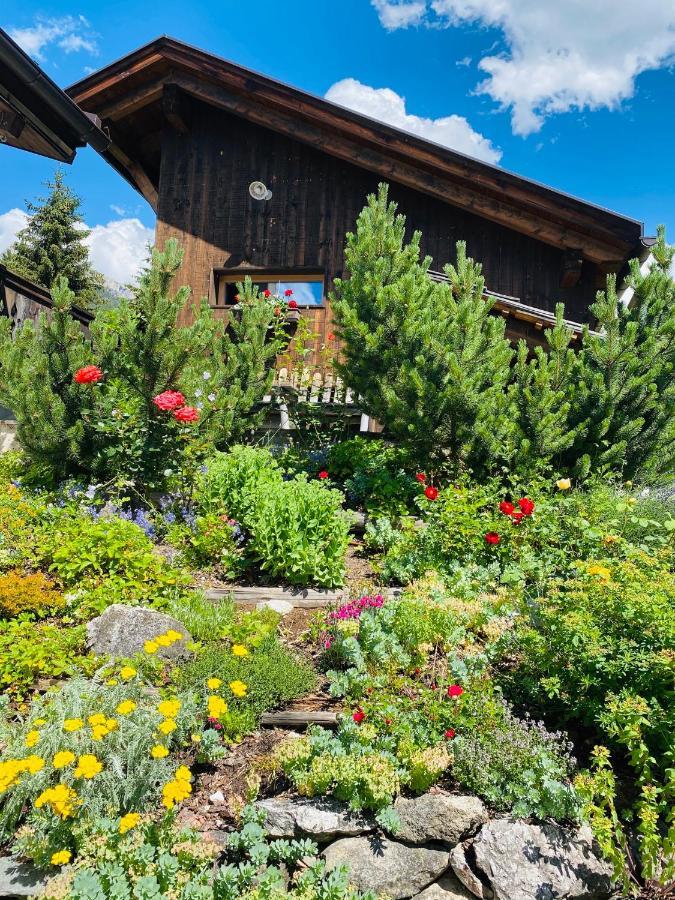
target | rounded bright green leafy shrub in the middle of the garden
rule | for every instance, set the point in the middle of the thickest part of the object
(298, 533)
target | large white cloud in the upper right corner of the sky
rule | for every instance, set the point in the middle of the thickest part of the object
(561, 56)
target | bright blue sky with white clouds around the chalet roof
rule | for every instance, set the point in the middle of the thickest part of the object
(580, 98)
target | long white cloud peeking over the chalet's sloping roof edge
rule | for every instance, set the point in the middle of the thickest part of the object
(388, 106)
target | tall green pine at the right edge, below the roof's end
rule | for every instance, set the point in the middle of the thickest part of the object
(623, 409)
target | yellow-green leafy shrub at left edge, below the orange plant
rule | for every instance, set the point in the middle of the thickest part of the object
(30, 650)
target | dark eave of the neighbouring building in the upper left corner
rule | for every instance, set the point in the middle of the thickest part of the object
(35, 114)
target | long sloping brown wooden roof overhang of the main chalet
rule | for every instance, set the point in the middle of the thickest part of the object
(135, 95)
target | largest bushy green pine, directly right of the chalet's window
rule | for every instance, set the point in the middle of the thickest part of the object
(426, 358)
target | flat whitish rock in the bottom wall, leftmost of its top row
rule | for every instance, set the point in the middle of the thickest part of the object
(322, 820)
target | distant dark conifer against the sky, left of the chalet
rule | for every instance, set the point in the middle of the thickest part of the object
(52, 245)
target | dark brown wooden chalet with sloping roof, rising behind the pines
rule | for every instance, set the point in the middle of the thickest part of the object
(255, 177)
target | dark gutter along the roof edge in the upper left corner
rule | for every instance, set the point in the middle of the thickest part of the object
(28, 73)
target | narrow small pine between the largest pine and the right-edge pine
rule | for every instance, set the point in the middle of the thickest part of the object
(541, 395)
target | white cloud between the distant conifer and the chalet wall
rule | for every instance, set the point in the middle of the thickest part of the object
(120, 248)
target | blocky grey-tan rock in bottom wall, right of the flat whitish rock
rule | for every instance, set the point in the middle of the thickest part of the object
(439, 817)
